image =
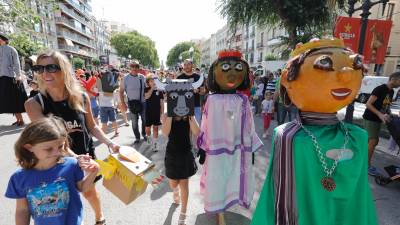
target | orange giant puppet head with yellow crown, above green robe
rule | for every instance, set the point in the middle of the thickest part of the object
(323, 76)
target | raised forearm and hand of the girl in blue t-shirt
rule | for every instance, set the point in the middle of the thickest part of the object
(91, 168)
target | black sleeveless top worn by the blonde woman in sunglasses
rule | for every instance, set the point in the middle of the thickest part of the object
(80, 140)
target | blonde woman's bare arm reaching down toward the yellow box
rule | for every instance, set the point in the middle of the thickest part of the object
(95, 130)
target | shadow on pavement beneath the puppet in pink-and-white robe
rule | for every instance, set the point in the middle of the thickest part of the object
(230, 218)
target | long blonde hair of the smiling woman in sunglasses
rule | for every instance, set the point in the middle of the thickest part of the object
(72, 86)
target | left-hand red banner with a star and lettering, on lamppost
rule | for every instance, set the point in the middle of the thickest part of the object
(348, 29)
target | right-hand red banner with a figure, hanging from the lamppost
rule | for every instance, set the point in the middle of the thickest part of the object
(376, 41)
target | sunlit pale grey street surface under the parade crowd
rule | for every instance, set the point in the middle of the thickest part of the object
(155, 207)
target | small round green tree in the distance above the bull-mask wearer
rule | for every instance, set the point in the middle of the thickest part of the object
(182, 49)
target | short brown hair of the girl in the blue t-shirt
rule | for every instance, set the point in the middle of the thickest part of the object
(42, 130)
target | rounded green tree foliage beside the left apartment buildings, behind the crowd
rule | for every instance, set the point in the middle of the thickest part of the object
(140, 47)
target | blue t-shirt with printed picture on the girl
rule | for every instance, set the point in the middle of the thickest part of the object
(52, 195)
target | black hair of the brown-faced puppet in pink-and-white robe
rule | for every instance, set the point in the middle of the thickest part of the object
(212, 84)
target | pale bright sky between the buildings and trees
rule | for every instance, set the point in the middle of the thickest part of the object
(166, 22)
